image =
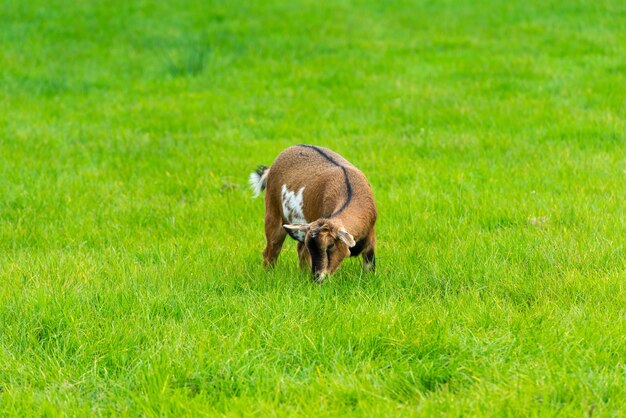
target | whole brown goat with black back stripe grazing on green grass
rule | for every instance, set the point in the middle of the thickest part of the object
(322, 201)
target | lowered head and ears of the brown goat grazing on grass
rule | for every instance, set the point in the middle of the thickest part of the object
(327, 242)
